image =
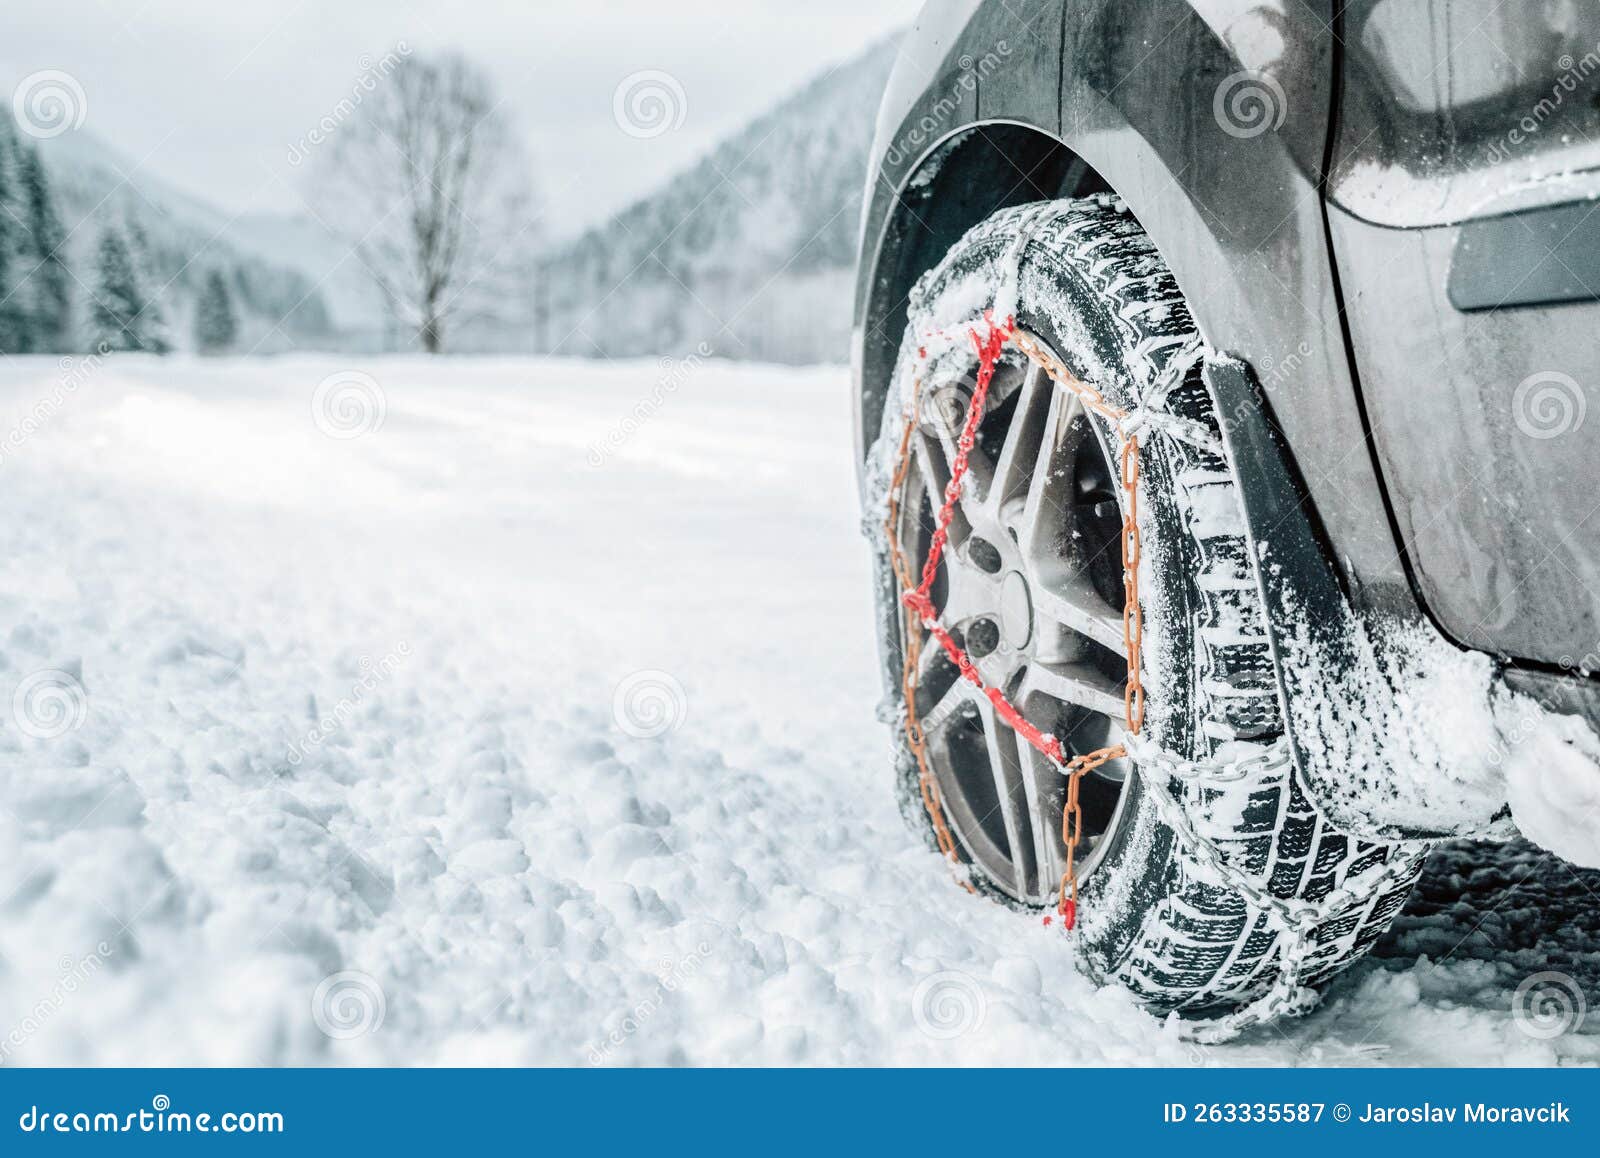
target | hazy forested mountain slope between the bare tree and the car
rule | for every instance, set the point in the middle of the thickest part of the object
(750, 252)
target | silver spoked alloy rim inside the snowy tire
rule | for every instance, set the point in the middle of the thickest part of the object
(1031, 586)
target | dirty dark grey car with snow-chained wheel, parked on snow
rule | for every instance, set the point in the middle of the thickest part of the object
(1222, 377)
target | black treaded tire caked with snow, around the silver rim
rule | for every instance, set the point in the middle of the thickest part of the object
(1158, 916)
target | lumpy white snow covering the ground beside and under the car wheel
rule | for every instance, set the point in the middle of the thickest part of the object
(489, 858)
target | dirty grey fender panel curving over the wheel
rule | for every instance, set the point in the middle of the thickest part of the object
(990, 108)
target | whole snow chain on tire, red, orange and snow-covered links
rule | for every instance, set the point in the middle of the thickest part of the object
(1297, 920)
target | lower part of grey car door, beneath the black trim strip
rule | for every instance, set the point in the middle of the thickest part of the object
(1479, 425)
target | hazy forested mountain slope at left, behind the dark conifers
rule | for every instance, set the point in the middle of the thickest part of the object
(180, 241)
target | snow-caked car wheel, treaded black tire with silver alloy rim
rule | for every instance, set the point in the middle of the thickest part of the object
(1209, 896)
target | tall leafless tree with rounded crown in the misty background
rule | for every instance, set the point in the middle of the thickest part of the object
(430, 186)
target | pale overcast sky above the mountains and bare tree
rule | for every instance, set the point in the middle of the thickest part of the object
(214, 94)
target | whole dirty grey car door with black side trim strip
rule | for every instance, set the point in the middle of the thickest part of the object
(1465, 222)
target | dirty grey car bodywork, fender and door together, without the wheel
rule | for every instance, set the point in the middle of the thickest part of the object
(1418, 487)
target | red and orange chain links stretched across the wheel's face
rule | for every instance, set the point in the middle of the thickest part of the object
(990, 340)
